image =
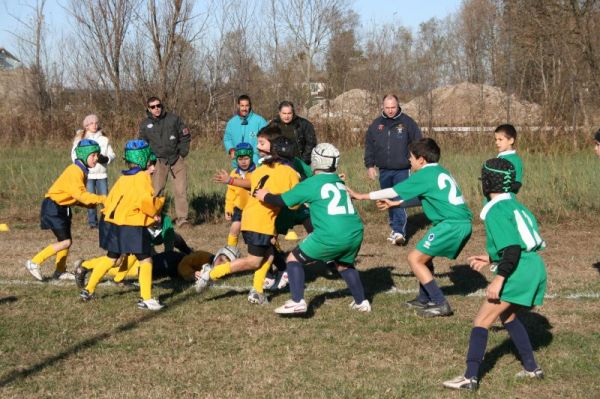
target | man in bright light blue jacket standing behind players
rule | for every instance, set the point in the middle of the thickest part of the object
(243, 128)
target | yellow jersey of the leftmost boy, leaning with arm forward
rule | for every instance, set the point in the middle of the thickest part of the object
(69, 189)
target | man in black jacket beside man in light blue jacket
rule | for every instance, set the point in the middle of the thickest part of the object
(296, 128)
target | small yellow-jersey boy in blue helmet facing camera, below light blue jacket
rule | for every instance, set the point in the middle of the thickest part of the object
(236, 197)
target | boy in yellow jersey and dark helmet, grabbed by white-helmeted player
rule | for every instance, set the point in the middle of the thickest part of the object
(258, 223)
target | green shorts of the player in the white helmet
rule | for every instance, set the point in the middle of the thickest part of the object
(344, 251)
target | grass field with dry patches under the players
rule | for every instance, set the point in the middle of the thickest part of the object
(217, 345)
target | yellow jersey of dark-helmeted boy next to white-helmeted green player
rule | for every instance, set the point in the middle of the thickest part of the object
(277, 178)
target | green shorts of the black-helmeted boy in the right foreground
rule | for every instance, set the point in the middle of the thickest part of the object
(527, 284)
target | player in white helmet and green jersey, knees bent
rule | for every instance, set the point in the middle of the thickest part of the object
(337, 234)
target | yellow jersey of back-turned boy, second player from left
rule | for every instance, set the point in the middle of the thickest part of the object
(131, 201)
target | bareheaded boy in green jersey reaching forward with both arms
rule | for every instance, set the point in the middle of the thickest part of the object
(445, 206)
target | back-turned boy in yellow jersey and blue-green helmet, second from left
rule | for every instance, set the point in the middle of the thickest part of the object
(129, 210)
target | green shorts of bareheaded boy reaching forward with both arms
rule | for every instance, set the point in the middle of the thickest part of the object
(445, 239)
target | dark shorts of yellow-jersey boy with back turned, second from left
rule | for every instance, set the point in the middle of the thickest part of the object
(125, 239)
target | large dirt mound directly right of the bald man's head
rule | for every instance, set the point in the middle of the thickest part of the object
(468, 104)
